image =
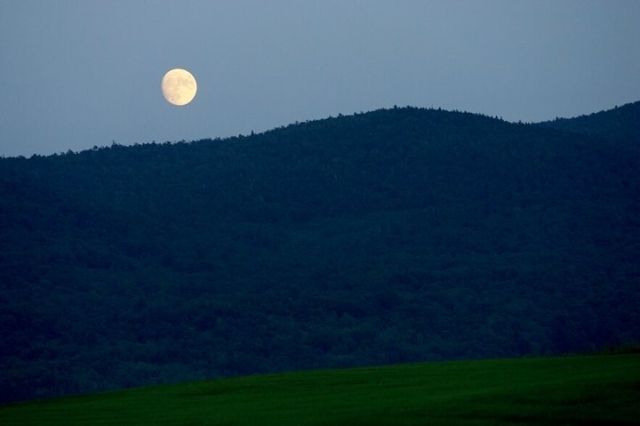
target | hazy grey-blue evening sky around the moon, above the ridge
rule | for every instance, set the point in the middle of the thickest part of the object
(82, 73)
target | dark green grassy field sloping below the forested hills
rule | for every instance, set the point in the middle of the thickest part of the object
(573, 390)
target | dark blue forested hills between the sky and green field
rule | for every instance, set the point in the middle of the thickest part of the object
(397, 235)
